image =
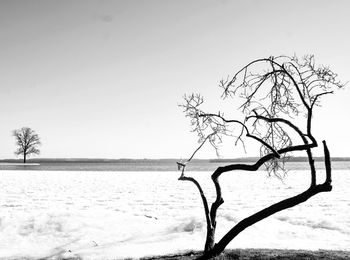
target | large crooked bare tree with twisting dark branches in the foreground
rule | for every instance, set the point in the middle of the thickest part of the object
(276, 93)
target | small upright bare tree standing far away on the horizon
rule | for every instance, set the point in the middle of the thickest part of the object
(27, 141)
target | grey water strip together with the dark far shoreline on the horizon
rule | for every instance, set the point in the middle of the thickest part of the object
(164, 165)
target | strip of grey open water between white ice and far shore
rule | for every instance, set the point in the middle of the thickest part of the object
(150, 165)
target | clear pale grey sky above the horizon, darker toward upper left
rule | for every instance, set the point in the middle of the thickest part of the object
(102, 79)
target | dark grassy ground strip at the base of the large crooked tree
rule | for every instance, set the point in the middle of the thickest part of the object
(252, 253)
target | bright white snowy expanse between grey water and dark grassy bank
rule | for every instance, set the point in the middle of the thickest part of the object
(99, 215)
